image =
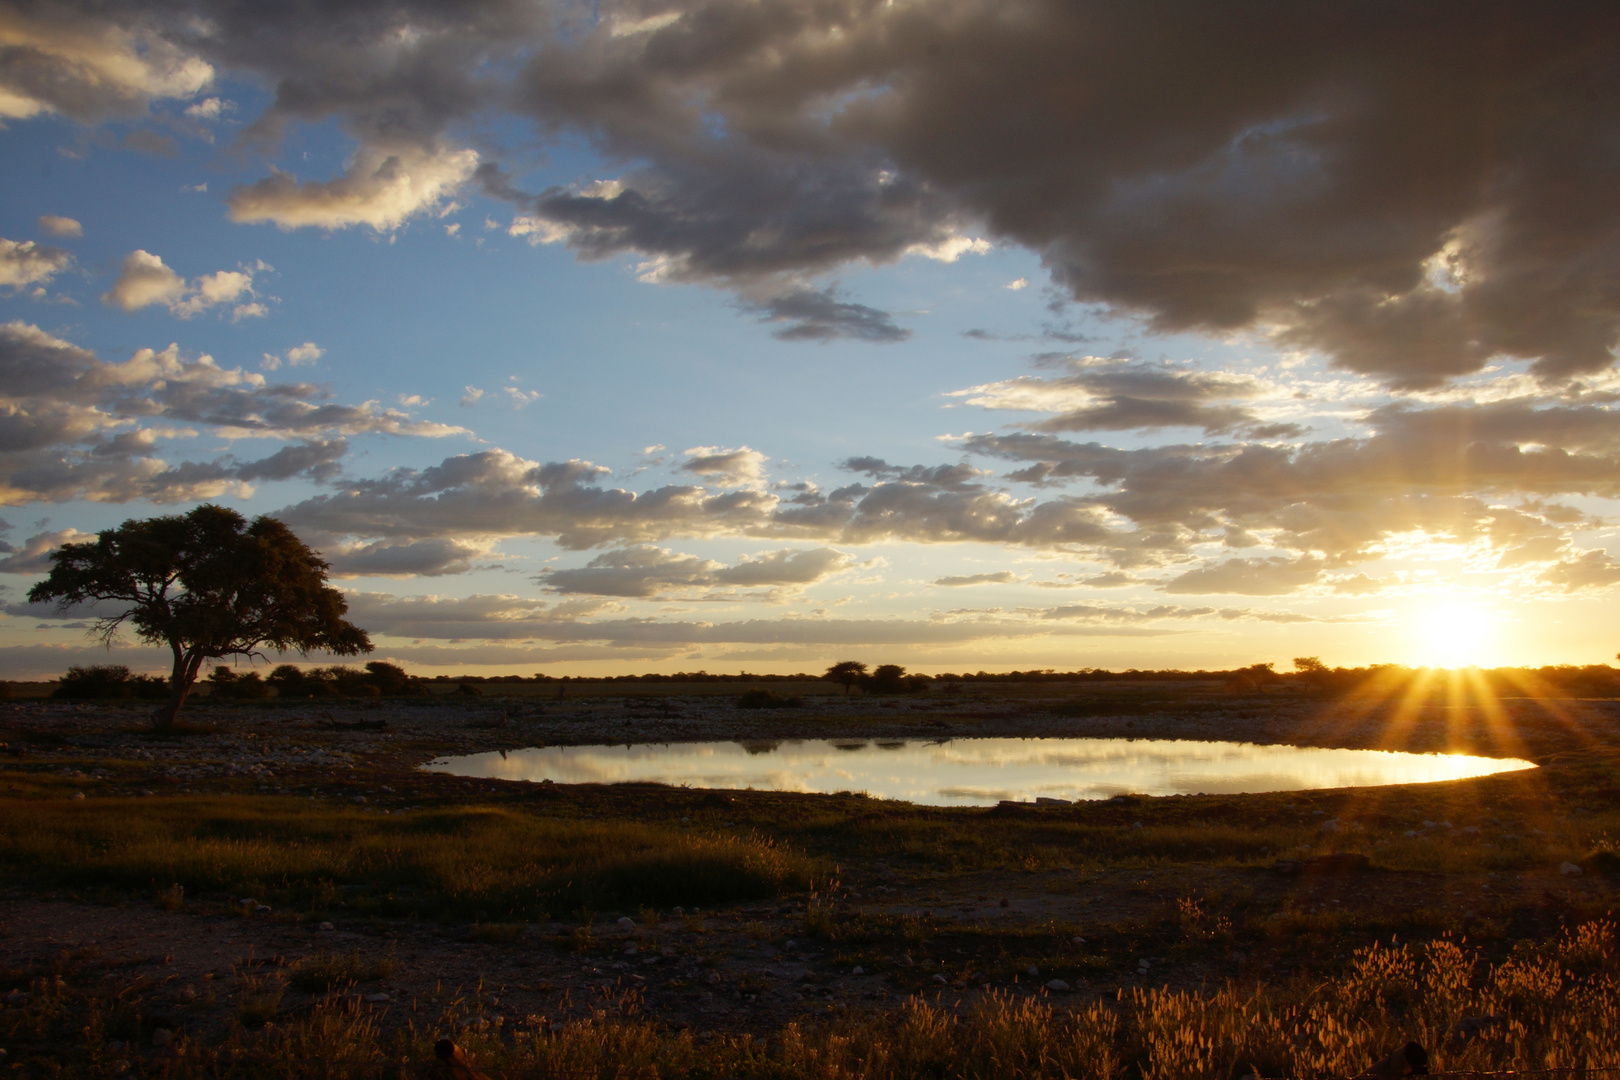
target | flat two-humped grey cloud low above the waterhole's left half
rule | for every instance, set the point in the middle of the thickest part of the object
(649, 572)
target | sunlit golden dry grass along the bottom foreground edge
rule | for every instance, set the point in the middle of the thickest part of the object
(1559, 1006)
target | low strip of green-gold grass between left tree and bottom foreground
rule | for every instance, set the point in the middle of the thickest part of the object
(461, 862)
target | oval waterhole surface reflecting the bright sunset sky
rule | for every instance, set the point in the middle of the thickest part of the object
(979, 772)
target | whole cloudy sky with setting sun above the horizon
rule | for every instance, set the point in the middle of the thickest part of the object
(764, 334)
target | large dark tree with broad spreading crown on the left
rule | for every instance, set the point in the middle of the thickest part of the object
(208, 585)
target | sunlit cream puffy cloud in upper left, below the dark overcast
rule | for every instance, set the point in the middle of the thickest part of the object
(382, 187)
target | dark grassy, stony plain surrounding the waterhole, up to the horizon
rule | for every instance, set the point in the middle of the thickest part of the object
(281, 890)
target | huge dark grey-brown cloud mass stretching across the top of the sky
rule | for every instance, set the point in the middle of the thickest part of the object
(1412, 189)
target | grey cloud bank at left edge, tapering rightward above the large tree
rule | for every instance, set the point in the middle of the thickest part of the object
(74, 427)
